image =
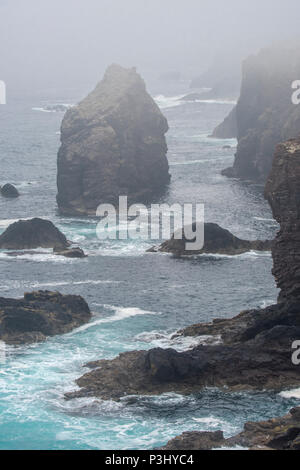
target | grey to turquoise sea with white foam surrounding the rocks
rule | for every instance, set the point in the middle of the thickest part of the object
(138, 300)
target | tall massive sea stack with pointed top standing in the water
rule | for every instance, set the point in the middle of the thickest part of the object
(112, 143)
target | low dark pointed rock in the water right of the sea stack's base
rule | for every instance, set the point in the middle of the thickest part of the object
(216, 240)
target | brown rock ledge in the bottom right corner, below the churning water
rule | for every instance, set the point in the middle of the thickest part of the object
(275, 434)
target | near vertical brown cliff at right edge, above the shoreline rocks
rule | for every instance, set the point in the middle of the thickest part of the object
(283, 193)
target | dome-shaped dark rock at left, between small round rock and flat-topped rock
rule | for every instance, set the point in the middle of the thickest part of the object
(31, 234)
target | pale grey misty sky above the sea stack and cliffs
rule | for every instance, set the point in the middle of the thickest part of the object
(44, 43)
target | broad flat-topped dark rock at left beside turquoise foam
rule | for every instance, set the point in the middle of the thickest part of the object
(40, 314)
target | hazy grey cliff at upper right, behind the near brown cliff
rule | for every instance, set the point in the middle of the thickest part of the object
(265, 114)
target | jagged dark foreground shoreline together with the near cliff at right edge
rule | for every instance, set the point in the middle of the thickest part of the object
(256, 348)
